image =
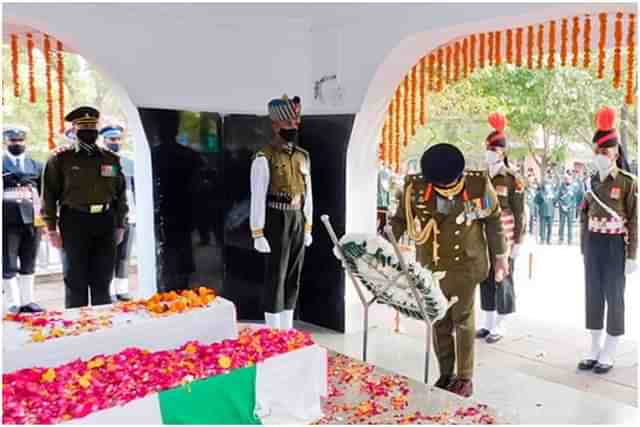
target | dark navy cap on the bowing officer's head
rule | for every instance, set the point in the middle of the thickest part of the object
(442, 164)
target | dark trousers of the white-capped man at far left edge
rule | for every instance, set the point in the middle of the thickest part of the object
(19, 242)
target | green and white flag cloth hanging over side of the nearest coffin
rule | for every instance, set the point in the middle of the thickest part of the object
(282, 389)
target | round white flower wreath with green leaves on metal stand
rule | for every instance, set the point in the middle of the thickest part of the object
(374, 262)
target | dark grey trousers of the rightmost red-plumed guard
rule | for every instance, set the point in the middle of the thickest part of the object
(604, 262)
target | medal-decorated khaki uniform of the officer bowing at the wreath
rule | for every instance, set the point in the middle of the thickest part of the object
(468, 225)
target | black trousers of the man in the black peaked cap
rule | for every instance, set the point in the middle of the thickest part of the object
(89, 244)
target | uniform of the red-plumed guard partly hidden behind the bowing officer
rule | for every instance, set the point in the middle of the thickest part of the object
(500, 296)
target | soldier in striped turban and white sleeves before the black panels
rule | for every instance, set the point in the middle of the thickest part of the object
(282, 211)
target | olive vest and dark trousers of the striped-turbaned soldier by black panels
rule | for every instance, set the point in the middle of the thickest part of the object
(286, 221)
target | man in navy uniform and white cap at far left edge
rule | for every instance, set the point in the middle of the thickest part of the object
(21, 221)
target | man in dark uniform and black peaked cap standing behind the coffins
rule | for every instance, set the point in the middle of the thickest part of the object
(86, 185)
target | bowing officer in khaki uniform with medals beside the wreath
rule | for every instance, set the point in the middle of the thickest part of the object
(459, 217)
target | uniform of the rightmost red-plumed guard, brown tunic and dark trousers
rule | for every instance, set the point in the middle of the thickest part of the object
(606, 243)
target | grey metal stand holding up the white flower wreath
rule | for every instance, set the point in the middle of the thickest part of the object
(356, 279)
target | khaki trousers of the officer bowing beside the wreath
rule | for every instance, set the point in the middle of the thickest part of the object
(454, 335)
